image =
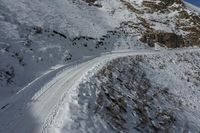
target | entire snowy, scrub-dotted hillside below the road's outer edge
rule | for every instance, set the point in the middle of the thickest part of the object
(142, 93)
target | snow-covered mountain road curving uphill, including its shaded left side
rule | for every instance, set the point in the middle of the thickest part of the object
(35, 107)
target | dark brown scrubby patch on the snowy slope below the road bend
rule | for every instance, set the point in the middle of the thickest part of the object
(129, 105)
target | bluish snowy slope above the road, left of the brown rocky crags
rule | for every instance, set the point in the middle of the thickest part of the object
(36, 35)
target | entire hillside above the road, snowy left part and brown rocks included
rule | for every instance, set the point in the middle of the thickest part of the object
(37, 35)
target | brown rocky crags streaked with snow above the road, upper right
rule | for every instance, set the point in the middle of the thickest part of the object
(187, 22)
